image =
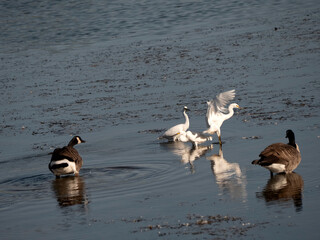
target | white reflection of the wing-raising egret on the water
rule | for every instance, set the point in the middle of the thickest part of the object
(228, 176)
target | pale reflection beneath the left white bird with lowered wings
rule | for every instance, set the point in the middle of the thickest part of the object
(187, 153)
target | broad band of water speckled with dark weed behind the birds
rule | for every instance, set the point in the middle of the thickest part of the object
(131, 81)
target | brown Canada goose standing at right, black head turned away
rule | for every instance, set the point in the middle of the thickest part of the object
(280, 157)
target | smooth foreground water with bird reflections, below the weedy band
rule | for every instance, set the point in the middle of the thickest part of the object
(133, 186)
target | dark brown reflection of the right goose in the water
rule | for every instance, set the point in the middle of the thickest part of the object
(283, 188)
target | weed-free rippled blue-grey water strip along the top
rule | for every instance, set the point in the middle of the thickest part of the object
(41, 24)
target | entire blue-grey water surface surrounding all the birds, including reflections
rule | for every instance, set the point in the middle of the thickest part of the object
(120, 93)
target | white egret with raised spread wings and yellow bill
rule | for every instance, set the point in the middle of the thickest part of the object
(217, 112)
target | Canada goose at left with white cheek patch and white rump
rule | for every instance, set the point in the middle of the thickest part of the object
(66, 160)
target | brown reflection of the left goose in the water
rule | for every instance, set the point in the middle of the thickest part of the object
(70, 191)
